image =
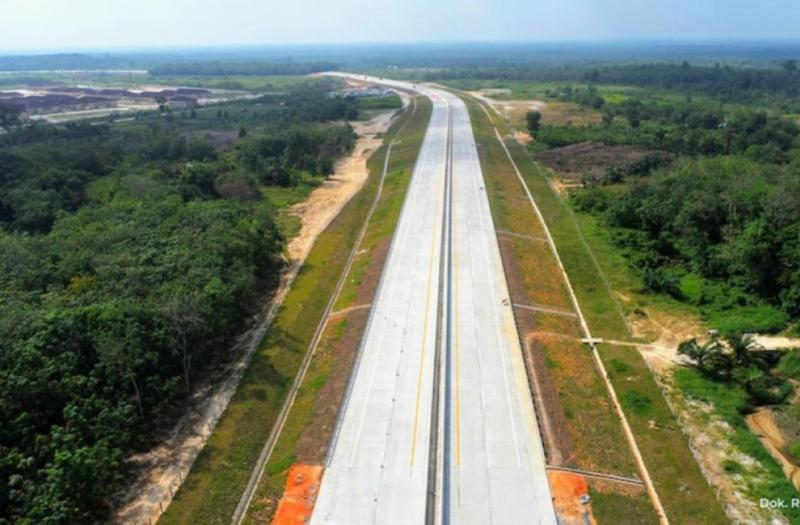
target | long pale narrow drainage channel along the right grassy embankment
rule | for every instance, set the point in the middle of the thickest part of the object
(601, 368)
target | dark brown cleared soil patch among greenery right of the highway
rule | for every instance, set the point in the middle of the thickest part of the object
(590, 158)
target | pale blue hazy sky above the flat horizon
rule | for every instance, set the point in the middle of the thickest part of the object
(74, 24)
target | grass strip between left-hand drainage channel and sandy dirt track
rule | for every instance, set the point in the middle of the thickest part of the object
(214, 486)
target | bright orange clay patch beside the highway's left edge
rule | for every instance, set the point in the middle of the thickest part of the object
(299, 495)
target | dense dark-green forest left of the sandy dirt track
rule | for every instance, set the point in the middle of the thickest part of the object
(129, 255)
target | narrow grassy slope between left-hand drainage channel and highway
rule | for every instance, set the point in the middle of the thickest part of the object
(380, 229)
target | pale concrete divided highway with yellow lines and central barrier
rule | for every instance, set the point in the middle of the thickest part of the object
(438, 425)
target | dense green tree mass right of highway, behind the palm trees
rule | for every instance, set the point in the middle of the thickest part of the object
(721, 233)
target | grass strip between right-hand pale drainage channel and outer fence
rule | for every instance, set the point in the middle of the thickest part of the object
(684, 492)
